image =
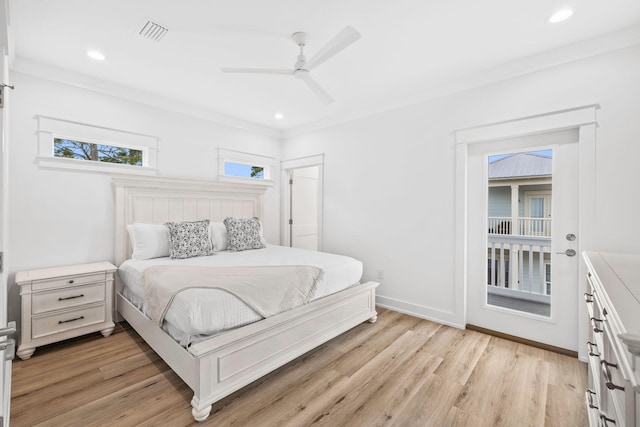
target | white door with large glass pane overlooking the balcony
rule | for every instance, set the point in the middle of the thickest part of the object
(560, 327)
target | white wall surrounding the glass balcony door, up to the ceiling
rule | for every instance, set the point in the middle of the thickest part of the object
(390, 178)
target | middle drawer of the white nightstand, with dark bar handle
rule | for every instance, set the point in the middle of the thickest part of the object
(65, 298)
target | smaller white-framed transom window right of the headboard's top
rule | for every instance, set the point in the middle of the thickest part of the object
(238, 165)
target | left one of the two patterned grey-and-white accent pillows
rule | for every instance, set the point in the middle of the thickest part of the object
(189, 239)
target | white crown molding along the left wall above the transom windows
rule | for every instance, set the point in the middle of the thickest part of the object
(59, 75)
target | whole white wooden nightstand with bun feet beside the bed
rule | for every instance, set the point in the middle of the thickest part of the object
(65, 302)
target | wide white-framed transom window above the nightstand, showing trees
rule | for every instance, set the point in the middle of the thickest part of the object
(65, 144)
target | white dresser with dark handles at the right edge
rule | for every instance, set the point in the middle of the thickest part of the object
(613, 303)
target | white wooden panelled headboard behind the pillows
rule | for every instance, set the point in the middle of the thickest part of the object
(156, 200)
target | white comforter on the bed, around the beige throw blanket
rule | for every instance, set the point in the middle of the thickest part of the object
(198, 313)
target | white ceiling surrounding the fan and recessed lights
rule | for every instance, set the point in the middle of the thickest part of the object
(409, 48)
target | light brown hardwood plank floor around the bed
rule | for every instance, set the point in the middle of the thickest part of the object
(401, 371)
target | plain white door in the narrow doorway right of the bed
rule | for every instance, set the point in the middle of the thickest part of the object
(304, 199)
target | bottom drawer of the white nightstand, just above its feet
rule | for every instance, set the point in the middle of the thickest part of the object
(48, 325)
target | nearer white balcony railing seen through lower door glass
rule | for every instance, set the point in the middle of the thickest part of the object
(517, 267)
